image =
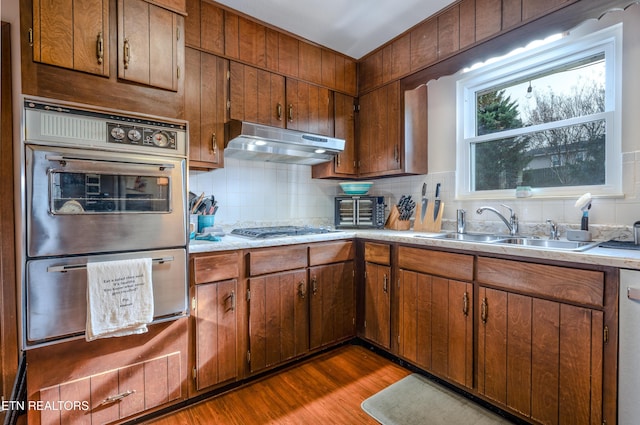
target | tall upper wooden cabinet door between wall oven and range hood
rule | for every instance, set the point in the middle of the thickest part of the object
(206, 91)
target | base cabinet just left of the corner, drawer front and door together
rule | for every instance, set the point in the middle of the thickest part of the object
(331, 293)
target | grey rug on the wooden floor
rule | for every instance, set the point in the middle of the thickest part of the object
(414, 400)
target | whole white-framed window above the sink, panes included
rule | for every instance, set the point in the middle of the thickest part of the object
(545, 117)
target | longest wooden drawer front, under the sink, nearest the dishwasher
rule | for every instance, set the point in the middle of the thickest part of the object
(560, 283)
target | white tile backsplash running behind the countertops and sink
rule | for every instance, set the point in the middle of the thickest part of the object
(253, 193)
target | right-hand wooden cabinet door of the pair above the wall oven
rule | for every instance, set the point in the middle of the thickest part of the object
(149, 44)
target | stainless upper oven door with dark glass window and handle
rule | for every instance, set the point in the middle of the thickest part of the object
(86, 201)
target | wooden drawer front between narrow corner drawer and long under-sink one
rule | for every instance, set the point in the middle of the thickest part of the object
(446, 264)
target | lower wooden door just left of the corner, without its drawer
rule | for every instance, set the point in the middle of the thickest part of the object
(332, 303)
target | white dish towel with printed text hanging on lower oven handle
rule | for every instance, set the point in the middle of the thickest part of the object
(119, 298)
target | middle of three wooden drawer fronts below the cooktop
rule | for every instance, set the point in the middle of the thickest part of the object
(277, 259)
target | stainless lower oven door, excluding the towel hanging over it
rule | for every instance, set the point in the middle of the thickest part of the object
(56, 293)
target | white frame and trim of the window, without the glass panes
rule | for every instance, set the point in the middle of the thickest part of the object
(512, 66)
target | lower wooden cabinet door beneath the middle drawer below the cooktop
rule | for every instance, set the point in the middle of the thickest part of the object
(278, 318)
